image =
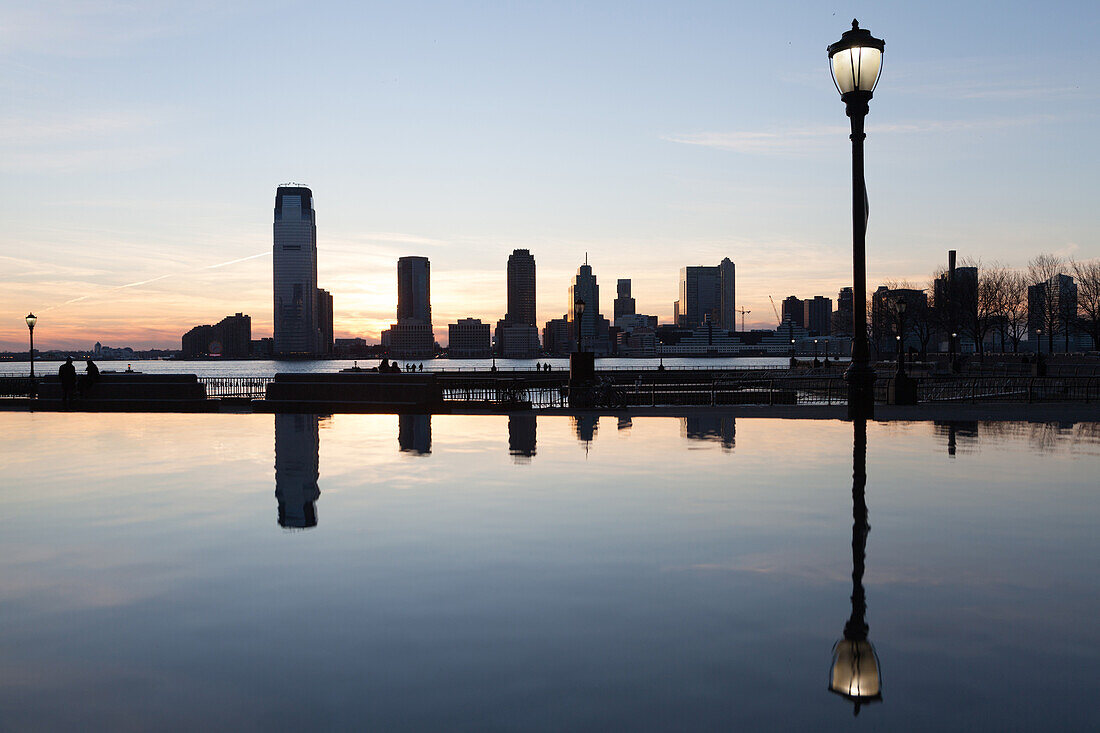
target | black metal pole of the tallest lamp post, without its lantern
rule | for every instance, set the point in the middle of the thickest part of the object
(861, 376)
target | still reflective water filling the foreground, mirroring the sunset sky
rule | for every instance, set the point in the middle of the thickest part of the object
(496, 573)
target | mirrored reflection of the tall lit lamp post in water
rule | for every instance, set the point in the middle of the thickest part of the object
(855, 675)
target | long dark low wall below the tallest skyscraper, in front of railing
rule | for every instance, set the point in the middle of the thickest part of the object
(353, 392)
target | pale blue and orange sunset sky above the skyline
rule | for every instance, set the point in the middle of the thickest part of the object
(141, 145)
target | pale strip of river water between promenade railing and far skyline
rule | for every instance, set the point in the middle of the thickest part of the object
(268, 368)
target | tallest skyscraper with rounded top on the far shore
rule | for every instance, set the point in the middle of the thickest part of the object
(294, 264)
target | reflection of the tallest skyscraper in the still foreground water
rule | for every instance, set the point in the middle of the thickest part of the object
(298, 444)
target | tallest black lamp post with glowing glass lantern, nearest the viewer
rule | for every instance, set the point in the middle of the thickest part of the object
(855, 62)
